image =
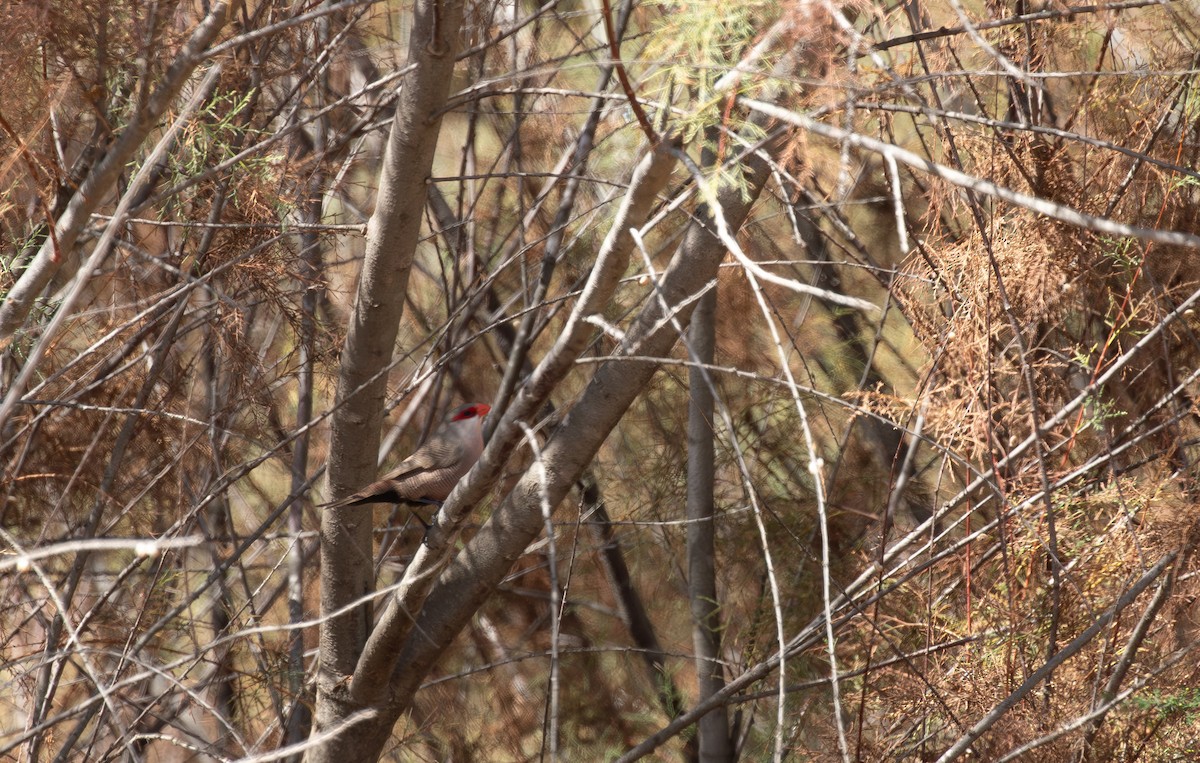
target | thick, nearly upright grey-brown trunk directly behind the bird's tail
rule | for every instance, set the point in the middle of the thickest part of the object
(393, 233)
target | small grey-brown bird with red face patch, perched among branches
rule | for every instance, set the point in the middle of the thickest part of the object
(434, 470)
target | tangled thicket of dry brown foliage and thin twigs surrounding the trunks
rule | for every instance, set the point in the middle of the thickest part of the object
(172, 404)
